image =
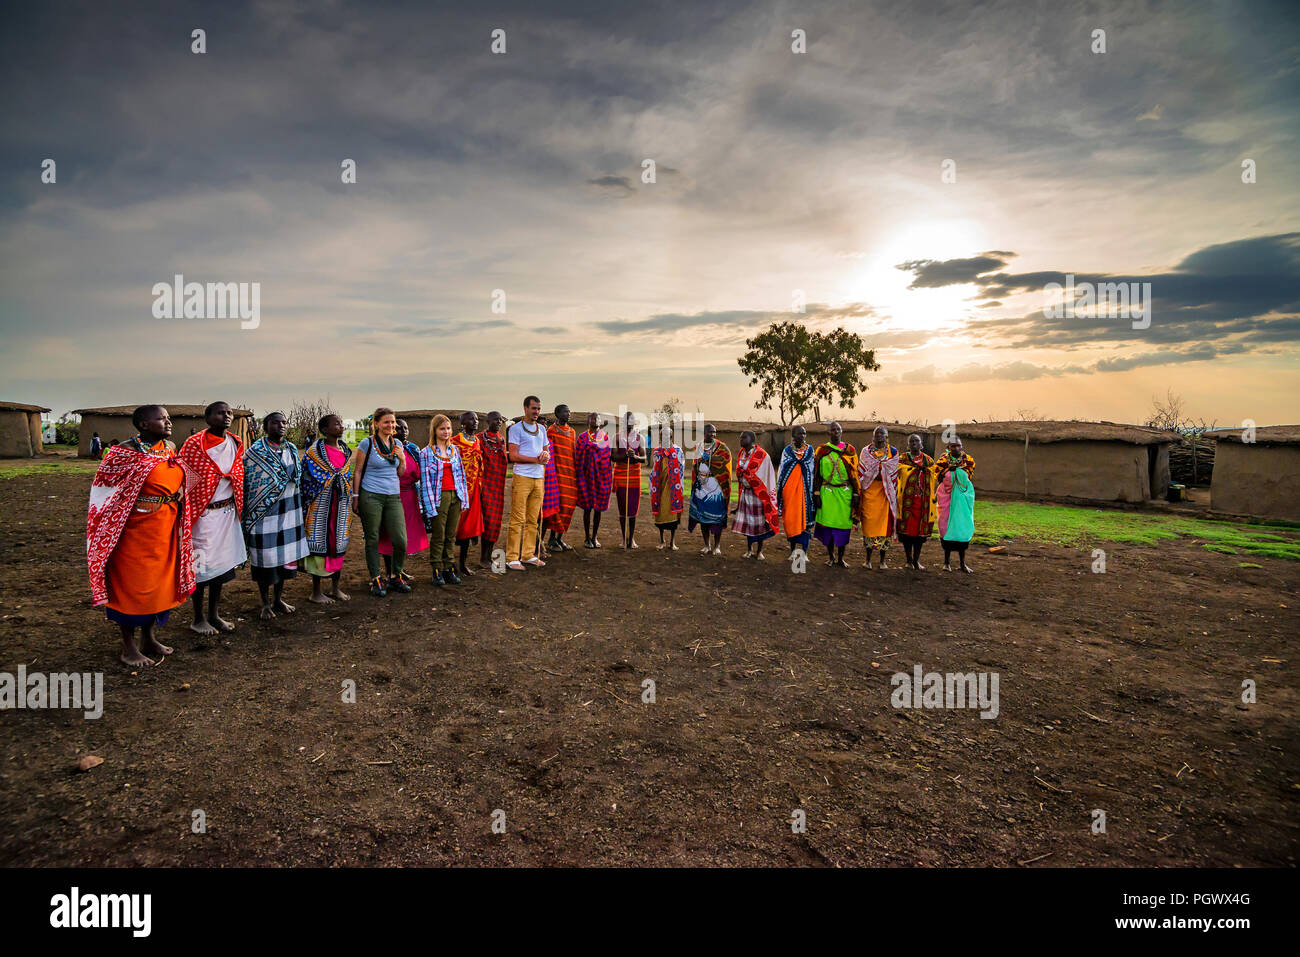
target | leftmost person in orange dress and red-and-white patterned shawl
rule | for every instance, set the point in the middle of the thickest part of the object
(138, 535)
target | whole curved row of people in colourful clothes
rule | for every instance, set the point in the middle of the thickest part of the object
(168, 525)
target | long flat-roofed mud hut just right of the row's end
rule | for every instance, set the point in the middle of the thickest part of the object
(1095, 462)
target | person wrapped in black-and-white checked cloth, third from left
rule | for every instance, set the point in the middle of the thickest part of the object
(274, 514)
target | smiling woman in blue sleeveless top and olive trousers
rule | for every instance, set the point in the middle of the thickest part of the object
(378, 467)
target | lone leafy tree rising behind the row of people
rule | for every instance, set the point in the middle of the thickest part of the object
(798, 370)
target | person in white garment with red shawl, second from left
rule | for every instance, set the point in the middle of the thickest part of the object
(214, 488)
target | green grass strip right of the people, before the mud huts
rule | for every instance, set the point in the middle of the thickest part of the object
(1076, 527)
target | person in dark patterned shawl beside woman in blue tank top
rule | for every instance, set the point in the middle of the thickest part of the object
(327, 491)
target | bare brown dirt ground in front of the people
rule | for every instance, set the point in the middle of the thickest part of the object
(1120, 692)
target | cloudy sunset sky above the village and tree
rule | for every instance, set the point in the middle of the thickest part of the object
(781, 176)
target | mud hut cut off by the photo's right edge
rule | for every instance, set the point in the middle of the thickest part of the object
(1258, 478)
